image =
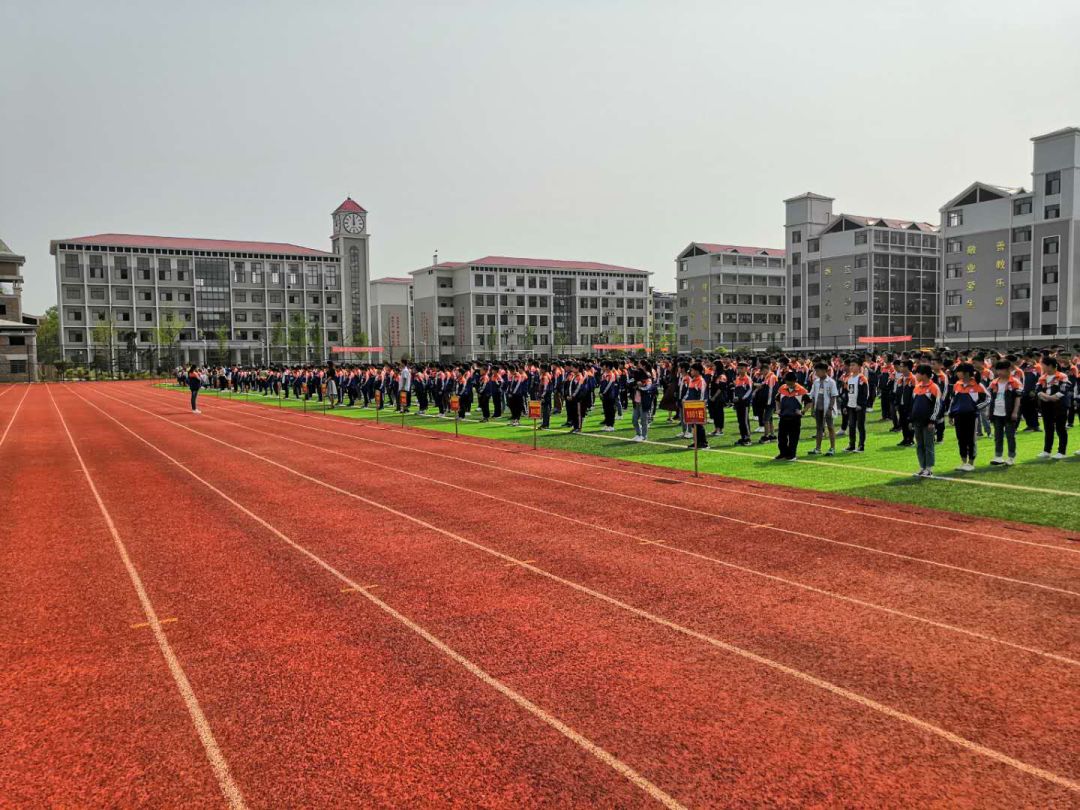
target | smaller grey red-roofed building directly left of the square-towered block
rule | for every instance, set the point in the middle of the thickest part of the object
(731, 296)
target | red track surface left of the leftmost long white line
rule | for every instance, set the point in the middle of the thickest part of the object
(90, 714)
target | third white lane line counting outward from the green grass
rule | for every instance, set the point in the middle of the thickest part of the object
(669, 547)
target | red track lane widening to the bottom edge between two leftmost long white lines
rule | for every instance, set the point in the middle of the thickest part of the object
(318, 699)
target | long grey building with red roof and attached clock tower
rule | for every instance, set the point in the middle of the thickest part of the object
(219, 301)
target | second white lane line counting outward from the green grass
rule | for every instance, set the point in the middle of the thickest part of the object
(750, 524)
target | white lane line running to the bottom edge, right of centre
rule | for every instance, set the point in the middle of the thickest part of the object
(542, 714)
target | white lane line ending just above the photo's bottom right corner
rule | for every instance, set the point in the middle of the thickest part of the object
(711, 641)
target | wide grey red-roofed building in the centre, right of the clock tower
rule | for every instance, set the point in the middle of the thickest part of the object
(504, 307)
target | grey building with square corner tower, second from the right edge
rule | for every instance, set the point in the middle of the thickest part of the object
(855, 277)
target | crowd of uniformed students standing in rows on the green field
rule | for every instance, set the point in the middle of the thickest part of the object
(980, 395)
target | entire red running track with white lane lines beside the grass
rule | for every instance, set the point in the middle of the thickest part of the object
(371, 617)
